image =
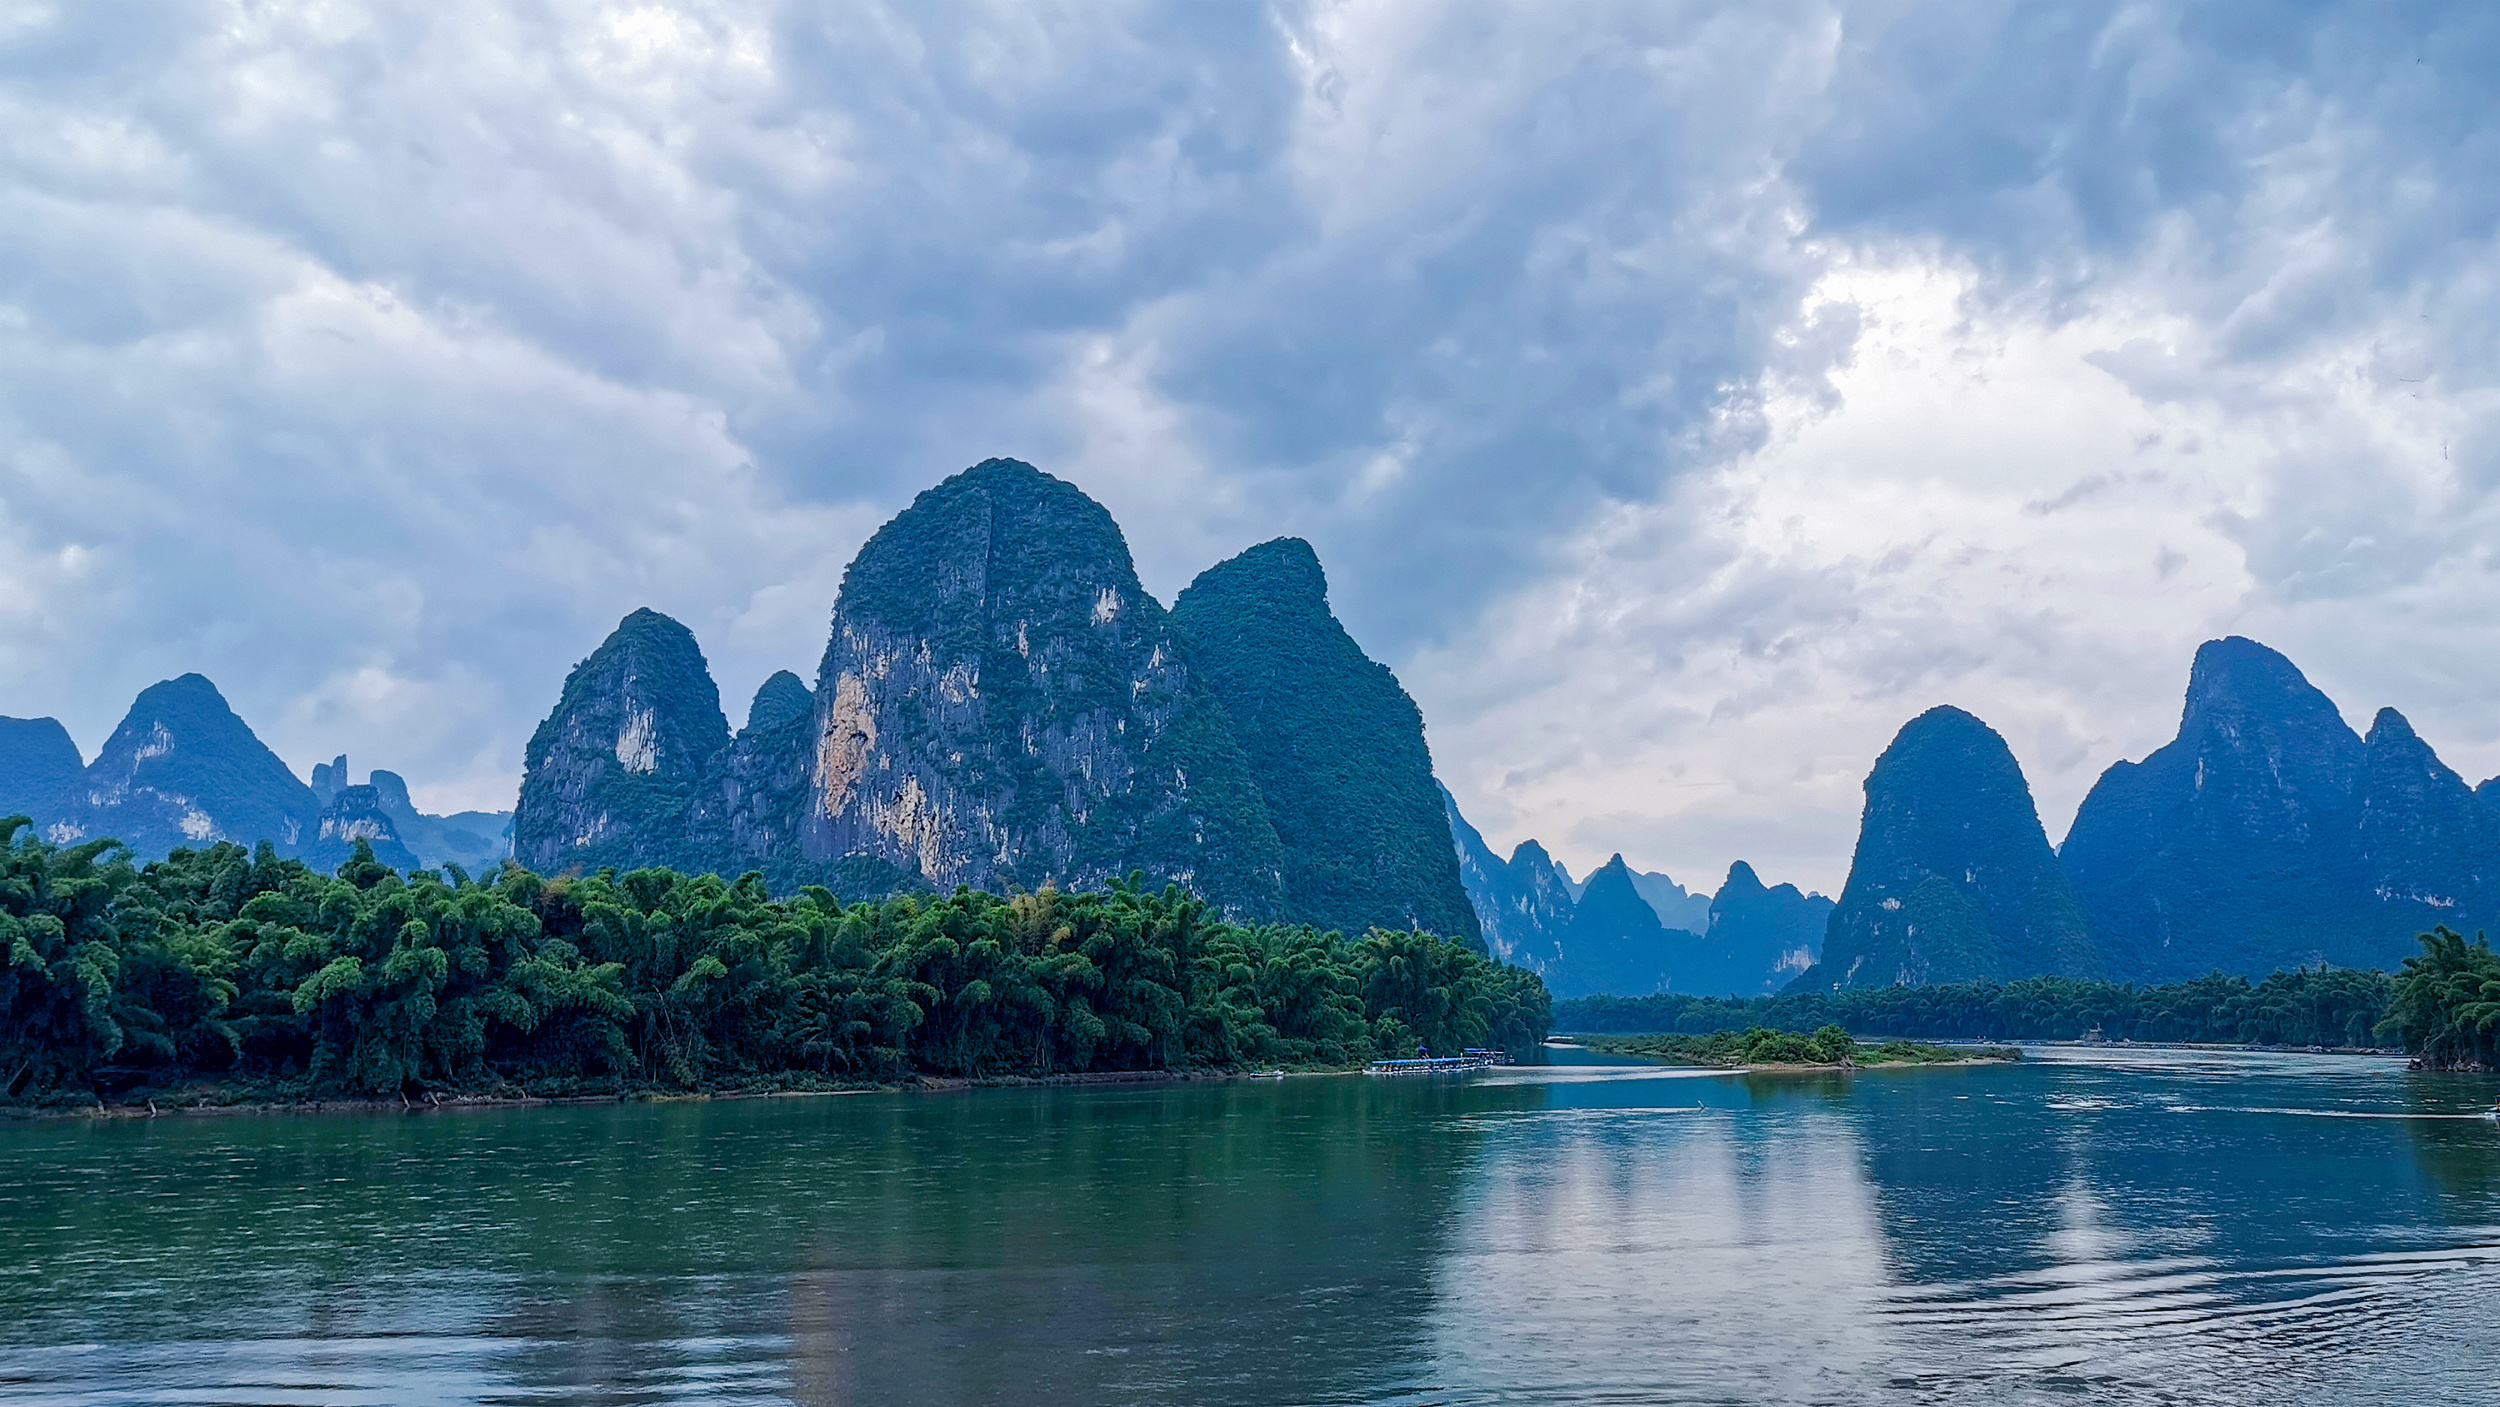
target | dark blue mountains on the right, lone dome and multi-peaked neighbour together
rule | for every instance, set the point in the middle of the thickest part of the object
(2266, 836)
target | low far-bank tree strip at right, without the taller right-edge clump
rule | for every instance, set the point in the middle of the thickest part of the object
(2314, 1006)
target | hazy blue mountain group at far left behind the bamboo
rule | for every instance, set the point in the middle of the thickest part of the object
(184, 771)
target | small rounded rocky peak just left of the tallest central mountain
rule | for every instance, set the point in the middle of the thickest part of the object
(614, 773)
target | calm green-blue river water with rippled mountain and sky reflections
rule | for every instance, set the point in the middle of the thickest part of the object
(2079, 1228)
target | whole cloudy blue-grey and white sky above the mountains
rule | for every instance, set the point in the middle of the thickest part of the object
(1679, 394)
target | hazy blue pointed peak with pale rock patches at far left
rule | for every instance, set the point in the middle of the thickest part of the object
(184, 771)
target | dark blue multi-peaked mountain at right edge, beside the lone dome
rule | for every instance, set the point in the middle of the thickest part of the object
(2271, 836)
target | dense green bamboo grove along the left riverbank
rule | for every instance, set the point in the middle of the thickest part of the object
(264, 978)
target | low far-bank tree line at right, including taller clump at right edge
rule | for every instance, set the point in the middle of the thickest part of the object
(2444, 1008)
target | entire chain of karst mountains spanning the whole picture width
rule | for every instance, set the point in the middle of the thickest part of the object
(1004, 706)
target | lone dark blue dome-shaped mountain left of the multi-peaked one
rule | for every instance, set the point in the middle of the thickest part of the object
(1954, 878)
